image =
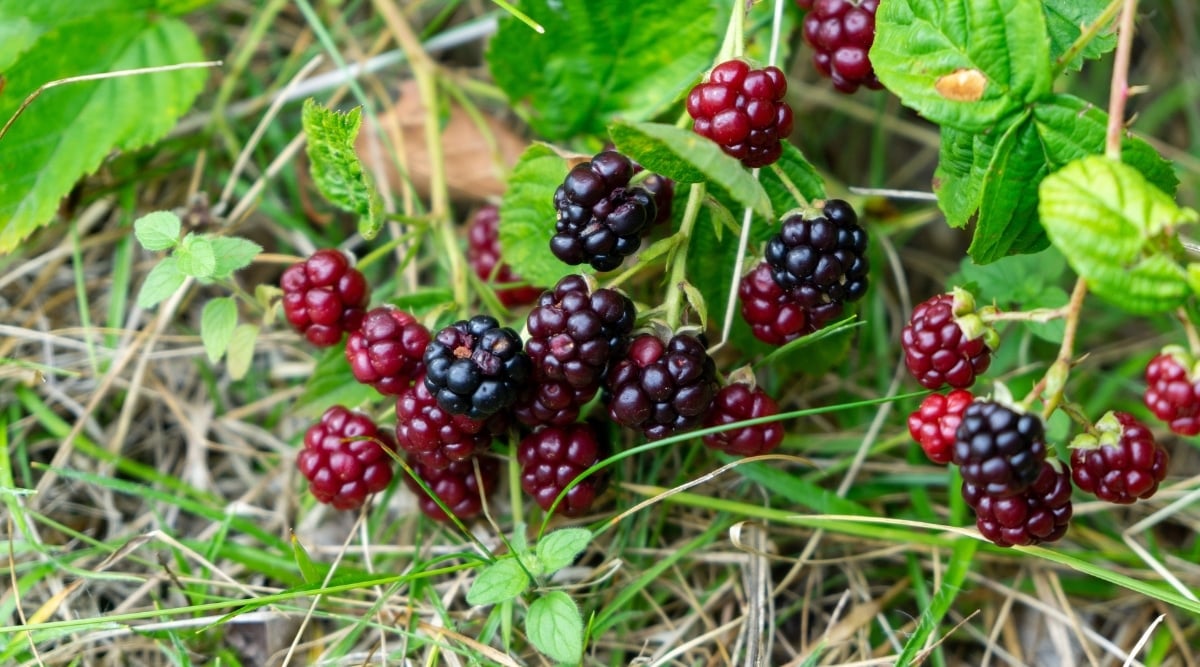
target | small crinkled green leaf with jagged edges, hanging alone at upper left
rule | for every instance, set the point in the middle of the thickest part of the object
(335, 166)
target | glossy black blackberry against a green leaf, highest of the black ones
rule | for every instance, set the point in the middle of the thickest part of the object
(601, 219)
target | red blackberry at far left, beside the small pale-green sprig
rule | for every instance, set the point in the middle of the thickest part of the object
(325, 297)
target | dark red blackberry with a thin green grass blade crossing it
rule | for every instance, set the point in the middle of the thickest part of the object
(740, 402)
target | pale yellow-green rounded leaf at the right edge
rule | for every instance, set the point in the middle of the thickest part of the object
(1117, 231)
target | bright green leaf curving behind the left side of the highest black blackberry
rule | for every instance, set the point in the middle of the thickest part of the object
(527, 217)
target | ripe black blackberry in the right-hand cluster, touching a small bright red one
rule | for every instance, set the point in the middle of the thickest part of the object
(998, 449)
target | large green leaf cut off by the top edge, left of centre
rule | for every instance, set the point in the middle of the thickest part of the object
(602, 61)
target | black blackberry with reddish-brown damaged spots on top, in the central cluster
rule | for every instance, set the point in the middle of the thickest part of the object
(476, 368)
